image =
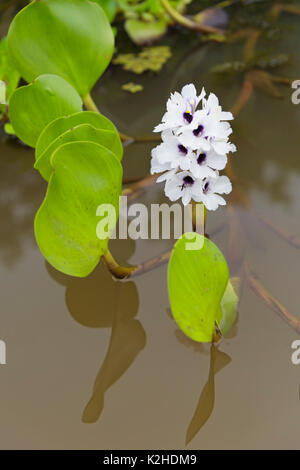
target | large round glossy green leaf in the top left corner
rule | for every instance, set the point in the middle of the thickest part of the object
(70, 38)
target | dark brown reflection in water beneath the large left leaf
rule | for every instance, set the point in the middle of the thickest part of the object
(100, 302)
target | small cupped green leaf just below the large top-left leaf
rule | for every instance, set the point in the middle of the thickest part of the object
(33, 106)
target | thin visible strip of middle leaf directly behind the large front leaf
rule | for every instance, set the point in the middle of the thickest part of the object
(84, 133)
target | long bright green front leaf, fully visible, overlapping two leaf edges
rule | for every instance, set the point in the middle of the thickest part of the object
(85, 175)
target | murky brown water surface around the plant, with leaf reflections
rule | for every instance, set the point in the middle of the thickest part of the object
(94, 363)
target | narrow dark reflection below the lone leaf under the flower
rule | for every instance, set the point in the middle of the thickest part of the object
(205, 406)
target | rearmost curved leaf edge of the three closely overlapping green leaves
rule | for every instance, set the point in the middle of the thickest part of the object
(61, 125)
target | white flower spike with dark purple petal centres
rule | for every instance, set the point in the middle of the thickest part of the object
(195, 146)
